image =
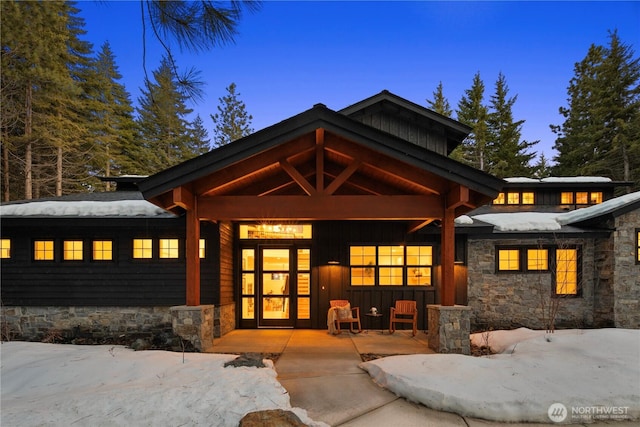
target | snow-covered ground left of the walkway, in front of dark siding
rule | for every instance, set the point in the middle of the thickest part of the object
(70, 385)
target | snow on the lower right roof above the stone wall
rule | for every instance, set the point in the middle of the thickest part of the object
(549, 221)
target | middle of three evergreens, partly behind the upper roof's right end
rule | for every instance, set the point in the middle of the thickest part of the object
(472, 112)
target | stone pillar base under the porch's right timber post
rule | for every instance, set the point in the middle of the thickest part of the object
(449, 328)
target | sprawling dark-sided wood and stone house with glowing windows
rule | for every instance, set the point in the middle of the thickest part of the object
(358, 204)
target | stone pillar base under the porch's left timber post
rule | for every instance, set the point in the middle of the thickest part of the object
(194, 324)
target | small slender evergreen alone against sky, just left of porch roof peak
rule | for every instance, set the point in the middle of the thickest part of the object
(232, 120)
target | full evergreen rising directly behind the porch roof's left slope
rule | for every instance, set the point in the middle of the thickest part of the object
(162, 119)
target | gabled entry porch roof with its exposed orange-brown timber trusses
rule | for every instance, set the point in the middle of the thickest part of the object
(321, 165)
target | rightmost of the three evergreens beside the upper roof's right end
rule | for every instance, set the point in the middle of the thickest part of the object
(508, 154)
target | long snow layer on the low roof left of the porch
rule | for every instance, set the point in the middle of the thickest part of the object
(118, 208)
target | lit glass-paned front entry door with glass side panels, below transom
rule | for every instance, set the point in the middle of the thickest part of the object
(275, 285)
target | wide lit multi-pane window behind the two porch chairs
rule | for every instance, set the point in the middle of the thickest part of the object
(391, 265)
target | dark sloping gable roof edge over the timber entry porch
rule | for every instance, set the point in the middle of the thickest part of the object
(306, 123)
